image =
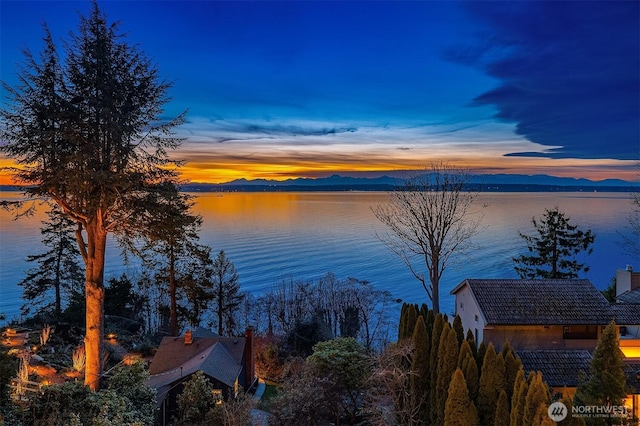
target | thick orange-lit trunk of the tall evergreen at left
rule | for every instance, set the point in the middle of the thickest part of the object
(94, 287)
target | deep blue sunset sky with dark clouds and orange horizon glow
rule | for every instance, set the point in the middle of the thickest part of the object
(281, 90)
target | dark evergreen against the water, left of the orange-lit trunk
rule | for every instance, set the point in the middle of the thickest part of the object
(58, 270)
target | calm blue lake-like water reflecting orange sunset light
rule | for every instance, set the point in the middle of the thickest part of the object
(269, 236)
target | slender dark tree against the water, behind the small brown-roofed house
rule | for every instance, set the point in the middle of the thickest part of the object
(227, 294)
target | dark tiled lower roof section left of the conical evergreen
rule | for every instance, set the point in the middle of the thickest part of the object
(559, 367)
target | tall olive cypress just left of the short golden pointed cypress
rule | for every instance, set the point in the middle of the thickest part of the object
(447, 361)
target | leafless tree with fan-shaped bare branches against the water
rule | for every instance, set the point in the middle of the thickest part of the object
(431, 223)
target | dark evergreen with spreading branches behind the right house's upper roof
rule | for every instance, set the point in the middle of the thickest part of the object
(553, 250)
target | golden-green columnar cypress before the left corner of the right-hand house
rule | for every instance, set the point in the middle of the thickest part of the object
(491, 383)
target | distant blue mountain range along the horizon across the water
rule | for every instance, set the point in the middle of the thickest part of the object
(491, 183)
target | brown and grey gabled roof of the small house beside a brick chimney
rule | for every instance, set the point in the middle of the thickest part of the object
(220, 358)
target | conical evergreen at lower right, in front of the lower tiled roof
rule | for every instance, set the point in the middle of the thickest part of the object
(607, 383)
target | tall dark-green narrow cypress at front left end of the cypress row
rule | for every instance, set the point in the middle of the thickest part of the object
(419, 382)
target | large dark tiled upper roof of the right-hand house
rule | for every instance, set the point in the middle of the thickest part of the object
(539, 302)
